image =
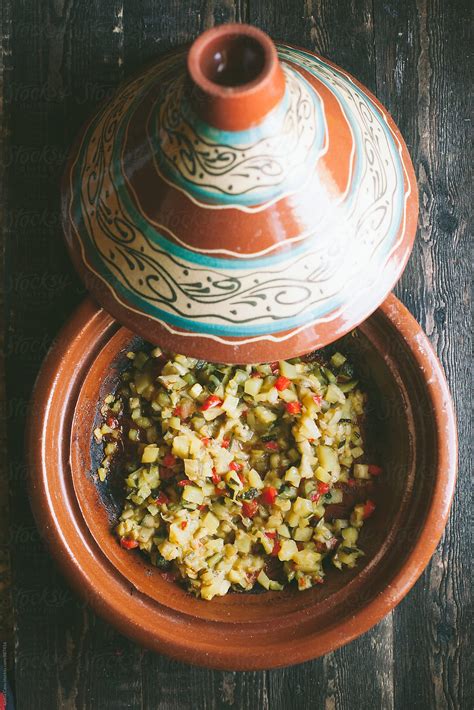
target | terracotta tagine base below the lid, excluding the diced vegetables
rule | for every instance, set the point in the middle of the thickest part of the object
(413, 422)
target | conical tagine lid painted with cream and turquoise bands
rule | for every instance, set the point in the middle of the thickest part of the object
(240, 201)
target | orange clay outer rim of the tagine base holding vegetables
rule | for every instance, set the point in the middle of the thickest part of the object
(71, 543)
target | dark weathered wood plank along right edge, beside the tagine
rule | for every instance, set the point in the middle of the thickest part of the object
(421, 51)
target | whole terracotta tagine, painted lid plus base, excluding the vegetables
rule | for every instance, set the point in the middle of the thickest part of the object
(242, 202)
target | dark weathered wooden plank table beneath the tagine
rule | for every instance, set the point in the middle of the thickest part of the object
(60, 58)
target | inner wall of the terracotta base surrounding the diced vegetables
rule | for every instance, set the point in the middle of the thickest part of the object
(394, 436)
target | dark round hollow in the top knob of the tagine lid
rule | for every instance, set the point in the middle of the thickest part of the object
(232, 60)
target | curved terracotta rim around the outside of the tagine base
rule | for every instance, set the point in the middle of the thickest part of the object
(205, 653)
